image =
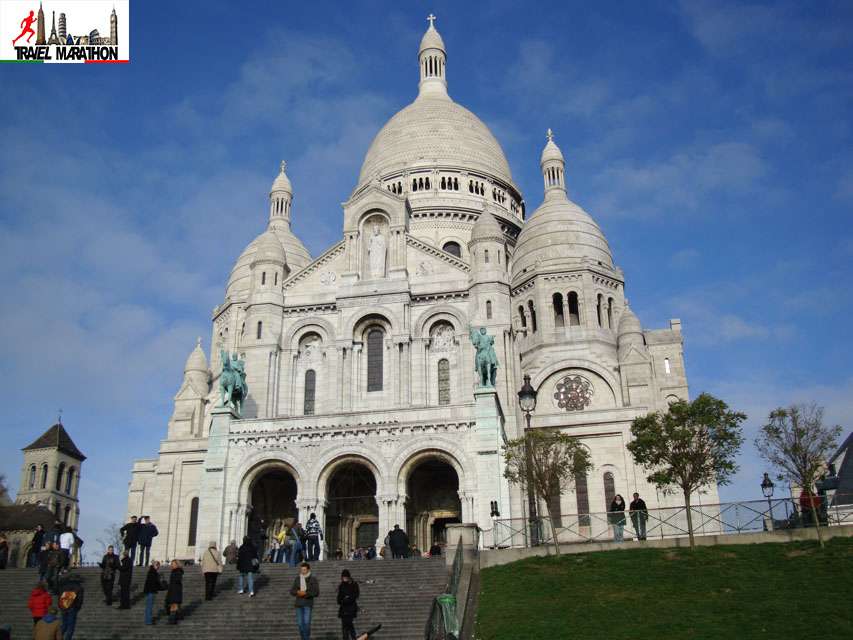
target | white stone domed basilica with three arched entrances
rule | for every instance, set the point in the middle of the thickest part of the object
(363, 405)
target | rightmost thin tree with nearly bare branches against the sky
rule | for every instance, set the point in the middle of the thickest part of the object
(797, 443)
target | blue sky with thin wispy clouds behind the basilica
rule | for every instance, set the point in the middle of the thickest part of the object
(713, 142)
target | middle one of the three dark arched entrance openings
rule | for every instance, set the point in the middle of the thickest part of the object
(352, 515)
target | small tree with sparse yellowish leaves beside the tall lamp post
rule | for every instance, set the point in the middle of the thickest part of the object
(549, 461)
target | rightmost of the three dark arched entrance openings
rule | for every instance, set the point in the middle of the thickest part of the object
(432, 503)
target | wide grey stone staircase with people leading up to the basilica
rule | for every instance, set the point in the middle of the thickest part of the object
(396, 593)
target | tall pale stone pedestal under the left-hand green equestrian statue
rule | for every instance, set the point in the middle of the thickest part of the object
(211, 499)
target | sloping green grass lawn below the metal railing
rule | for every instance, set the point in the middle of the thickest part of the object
(728, 592)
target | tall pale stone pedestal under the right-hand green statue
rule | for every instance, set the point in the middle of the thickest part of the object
(489, 439)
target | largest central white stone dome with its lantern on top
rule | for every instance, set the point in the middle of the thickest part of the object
(434, 130)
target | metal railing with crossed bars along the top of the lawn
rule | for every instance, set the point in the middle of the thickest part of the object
(671, 522)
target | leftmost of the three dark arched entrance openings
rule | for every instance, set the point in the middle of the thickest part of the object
(273, 500)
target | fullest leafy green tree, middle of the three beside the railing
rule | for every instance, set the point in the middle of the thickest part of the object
(689, 447)
